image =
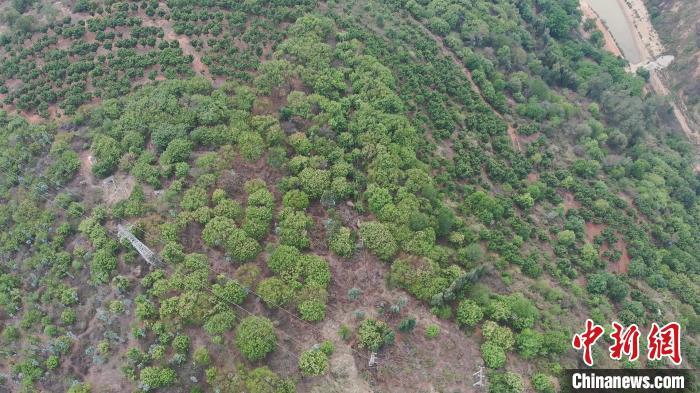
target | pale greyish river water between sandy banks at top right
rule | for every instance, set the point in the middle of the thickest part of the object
(610, 11)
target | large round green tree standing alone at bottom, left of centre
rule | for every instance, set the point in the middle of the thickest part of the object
(255, 337)
